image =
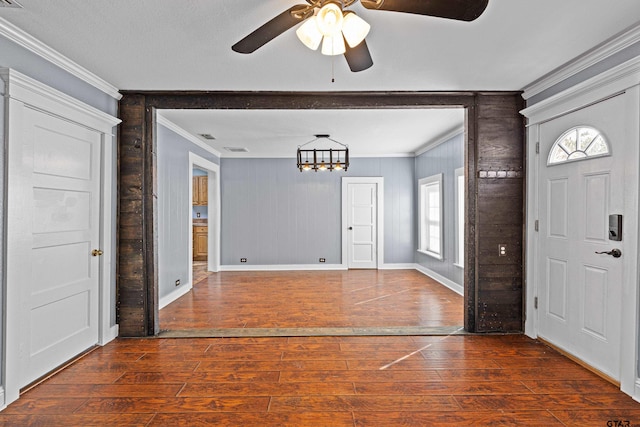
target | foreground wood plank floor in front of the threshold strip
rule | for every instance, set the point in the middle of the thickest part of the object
(324, 381)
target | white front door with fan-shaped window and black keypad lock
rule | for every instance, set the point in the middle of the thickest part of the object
(580, 292)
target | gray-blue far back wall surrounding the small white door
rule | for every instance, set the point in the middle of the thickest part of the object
(272, 214)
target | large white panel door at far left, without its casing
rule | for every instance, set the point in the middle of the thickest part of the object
(60, 177)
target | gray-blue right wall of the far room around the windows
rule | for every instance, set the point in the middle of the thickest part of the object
(444, 158)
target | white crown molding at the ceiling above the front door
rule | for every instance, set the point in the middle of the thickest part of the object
(605, 50)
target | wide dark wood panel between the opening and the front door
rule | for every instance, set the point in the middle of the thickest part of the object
(500, 214)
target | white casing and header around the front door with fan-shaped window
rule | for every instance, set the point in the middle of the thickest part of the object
(620, 81)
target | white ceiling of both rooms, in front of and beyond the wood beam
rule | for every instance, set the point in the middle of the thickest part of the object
(186, 44)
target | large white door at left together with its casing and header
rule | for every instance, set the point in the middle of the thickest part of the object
(59, 170)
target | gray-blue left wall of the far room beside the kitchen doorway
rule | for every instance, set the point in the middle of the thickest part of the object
(174, 207)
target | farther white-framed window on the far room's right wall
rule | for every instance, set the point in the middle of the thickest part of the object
(430, 193)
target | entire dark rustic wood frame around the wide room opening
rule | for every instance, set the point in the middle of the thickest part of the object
(495, 206)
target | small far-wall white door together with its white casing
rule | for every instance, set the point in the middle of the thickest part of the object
(362, 222)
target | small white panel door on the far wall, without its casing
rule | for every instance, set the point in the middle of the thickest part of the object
(361, 225)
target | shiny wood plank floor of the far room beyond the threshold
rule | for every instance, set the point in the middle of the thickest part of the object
(313, 299)
